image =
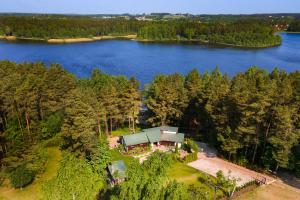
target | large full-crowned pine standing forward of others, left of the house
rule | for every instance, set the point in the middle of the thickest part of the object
(80, 122)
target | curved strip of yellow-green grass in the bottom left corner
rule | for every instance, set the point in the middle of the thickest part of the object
(33, 191)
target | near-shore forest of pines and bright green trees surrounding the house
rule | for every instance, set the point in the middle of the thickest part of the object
(253, 119)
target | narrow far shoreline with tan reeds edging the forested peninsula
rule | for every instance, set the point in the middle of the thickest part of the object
(128, 37)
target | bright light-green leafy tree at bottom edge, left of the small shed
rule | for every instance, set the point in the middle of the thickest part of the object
(75, 180)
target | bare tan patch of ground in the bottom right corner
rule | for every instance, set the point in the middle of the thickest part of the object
(275, 191)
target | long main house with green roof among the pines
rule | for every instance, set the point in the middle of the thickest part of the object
(164, 135)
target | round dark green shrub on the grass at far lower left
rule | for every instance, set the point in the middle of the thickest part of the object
(21, 176)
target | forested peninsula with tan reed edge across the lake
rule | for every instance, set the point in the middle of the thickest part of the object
(241, 33)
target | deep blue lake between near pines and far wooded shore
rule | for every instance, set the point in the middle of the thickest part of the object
(145, 60)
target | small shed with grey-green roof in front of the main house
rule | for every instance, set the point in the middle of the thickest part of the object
(117, 171)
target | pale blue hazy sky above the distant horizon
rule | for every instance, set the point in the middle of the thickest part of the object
(148, 6)
